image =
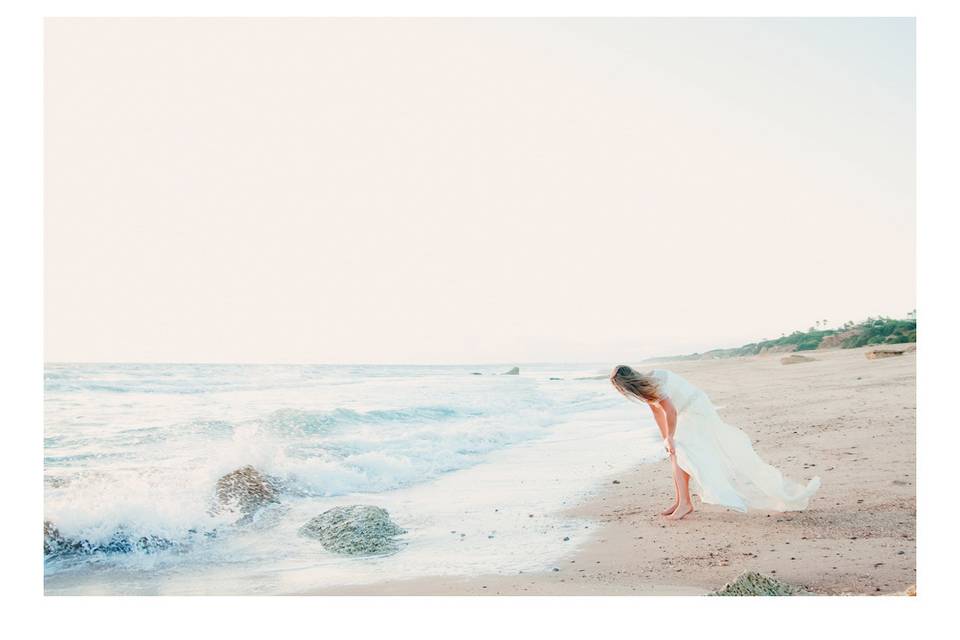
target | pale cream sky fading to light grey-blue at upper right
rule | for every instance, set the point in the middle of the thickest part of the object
(471, 190)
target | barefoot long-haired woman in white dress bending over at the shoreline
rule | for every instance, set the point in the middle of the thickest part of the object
(716, 456)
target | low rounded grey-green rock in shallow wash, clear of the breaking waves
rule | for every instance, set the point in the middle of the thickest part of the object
(355, 530)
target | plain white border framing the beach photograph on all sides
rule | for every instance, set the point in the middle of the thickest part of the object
(22, 318)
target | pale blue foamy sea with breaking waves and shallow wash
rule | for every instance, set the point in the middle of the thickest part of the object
(477, 468)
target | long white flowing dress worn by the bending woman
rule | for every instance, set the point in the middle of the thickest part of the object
(723, 467)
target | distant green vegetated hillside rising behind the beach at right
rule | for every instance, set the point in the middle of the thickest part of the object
(849, 336)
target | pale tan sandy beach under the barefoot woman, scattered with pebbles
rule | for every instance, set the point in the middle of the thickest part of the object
(850, 420)
